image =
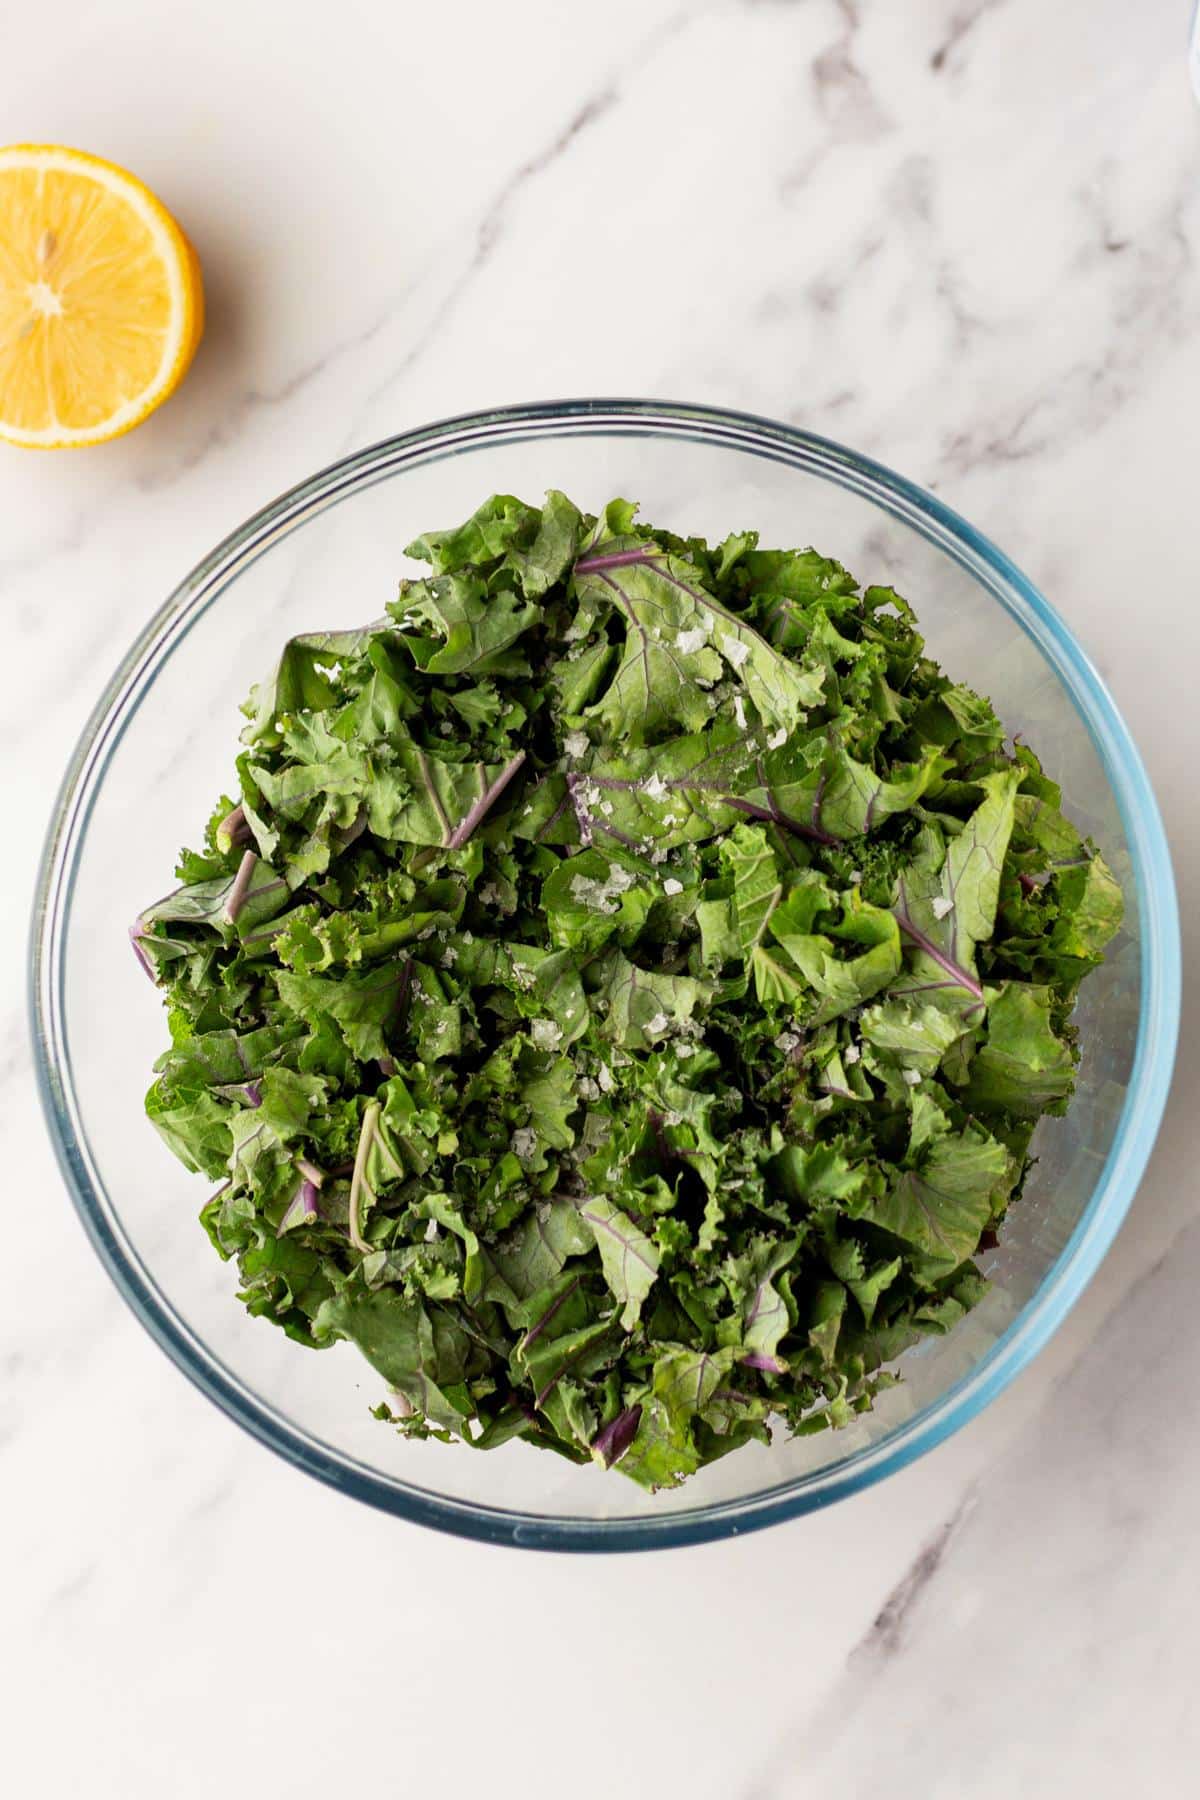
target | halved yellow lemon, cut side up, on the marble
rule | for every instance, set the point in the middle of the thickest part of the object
(102, 301)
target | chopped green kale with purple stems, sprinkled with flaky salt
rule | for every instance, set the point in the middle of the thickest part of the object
(622, 993)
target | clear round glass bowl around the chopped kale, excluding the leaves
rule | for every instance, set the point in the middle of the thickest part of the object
(161, 744)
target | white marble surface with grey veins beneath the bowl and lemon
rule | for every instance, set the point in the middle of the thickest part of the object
(960, 235)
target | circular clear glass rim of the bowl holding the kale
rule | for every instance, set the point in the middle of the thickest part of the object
(1160, 966)
